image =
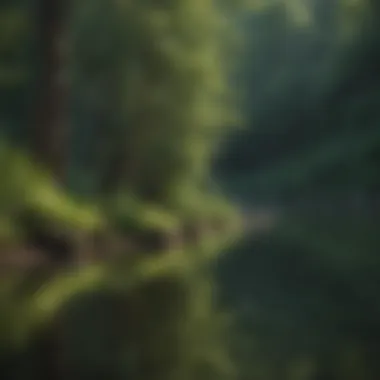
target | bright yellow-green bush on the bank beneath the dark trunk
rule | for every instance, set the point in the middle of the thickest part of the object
(26, 187)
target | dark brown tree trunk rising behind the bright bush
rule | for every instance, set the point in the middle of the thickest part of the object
(51, 130)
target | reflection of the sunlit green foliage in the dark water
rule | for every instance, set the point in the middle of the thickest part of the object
(164, 299)
